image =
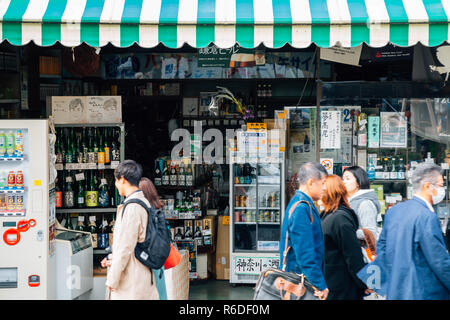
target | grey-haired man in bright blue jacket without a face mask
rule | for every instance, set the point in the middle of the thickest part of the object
(305, 237)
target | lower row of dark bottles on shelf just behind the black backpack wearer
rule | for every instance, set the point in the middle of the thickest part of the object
(184, 206)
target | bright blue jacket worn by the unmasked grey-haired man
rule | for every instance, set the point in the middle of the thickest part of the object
(306, 241)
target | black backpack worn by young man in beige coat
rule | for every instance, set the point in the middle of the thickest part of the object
(155, 249)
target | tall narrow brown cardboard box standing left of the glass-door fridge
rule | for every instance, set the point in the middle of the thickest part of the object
(223, 249)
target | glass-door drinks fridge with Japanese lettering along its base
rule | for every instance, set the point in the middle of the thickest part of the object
(257, 209)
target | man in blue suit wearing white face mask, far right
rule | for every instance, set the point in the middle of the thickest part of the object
(412, 261)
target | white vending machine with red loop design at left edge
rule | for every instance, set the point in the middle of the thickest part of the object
(27, 211)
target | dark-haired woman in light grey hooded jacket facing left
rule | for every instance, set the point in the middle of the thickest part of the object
(362, 199)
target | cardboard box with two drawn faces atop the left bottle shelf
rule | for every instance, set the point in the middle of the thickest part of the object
(85, 109)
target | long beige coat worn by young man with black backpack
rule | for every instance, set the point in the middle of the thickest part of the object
(129, 278)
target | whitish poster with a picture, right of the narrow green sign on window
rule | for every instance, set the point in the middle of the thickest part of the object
(393, 130)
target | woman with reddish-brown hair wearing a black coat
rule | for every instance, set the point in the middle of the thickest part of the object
(343, 256)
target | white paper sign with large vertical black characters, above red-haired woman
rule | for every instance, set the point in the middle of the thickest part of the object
(330, 130)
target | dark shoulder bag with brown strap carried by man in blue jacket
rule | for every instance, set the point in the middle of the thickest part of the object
(276, 284)
